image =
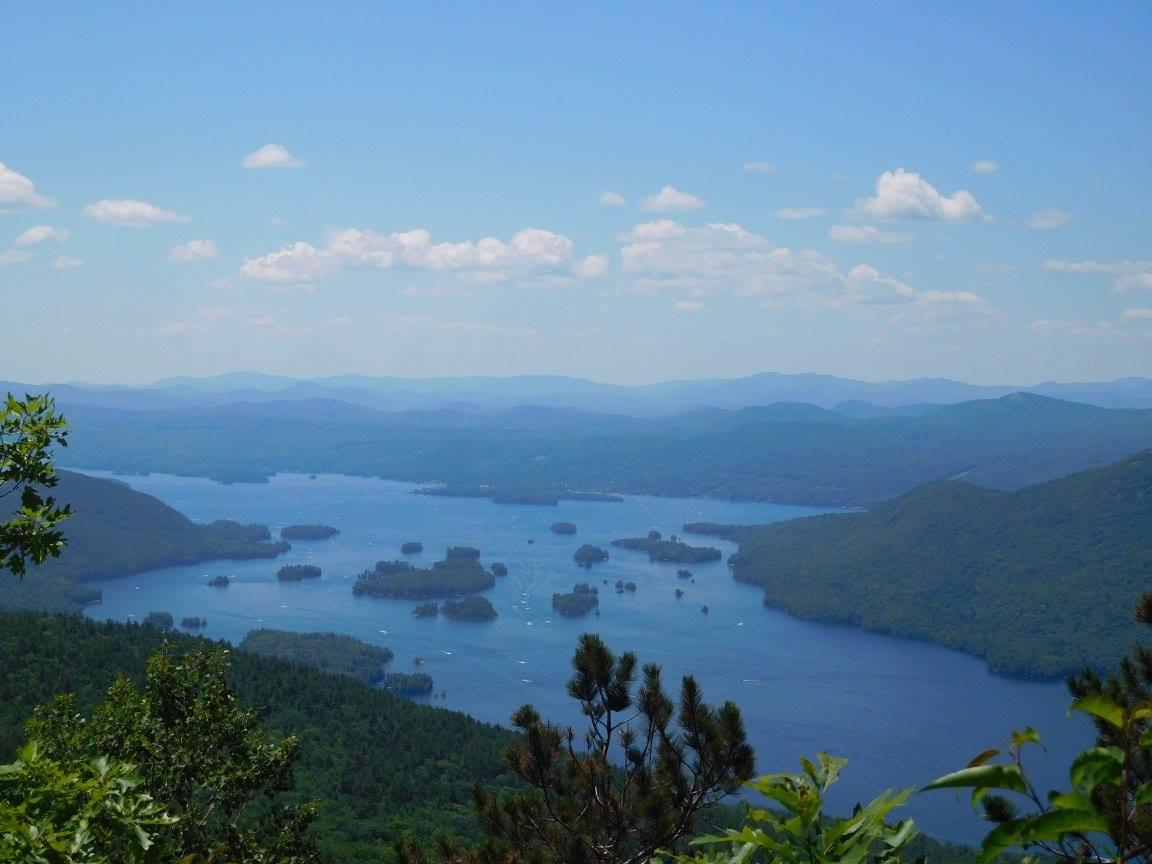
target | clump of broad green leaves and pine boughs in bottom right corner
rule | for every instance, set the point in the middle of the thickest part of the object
(1106, 813)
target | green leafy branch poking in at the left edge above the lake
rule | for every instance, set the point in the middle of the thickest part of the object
(29, 429)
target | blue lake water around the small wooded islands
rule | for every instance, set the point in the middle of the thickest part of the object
(904, 713)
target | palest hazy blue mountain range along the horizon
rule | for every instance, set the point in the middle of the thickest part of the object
(669, 398)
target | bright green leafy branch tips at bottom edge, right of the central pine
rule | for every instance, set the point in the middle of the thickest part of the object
(799, 832)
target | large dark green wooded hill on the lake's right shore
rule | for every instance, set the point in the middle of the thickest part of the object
(1040, 581)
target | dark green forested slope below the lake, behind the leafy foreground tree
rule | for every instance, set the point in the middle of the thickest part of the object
(381, 767)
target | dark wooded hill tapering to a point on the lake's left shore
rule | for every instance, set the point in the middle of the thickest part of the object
(117, 532)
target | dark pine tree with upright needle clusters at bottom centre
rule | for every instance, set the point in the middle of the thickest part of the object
(583, 806)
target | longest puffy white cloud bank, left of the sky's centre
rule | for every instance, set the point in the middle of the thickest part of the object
(532, 249)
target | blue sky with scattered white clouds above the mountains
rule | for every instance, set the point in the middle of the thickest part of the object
(630, 193)
